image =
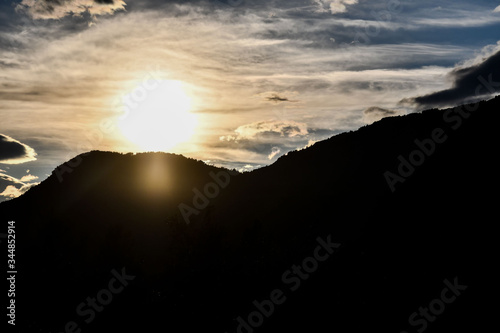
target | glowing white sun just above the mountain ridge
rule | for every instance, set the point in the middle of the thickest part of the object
(158, 115)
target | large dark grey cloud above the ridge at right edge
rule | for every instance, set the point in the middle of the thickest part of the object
(469, 84)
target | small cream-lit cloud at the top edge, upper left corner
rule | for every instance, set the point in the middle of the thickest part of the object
(56, 9)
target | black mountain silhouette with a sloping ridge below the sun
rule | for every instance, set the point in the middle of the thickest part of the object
(409, 202)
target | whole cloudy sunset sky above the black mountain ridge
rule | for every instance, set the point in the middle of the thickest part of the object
(235, 83)
